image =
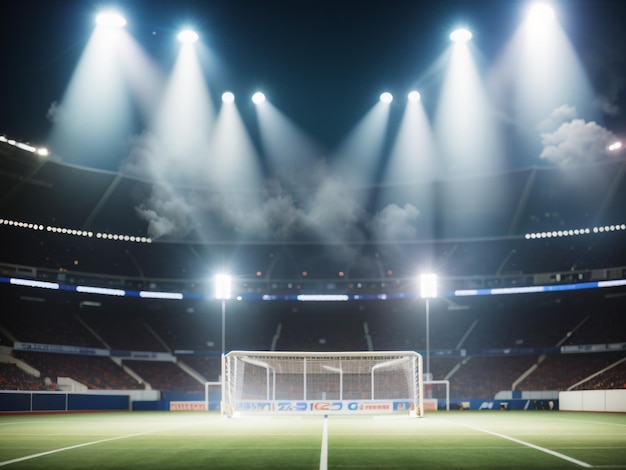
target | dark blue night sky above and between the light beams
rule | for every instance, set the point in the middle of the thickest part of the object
(322, 62)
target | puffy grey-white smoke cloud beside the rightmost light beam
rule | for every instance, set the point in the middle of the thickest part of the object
(568, 140)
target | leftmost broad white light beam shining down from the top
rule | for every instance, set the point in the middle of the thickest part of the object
(93, 120)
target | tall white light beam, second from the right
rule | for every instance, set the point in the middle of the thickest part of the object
(468, 143)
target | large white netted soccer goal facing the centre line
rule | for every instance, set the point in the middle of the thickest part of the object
(322, 382)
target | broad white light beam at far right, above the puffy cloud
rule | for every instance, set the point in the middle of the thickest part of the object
(538, 72)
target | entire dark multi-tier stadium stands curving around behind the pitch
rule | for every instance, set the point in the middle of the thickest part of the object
(482, 344)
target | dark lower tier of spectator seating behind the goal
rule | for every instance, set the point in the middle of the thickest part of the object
(482, 349)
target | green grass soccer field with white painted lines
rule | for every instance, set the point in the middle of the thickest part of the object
(186, 440)
